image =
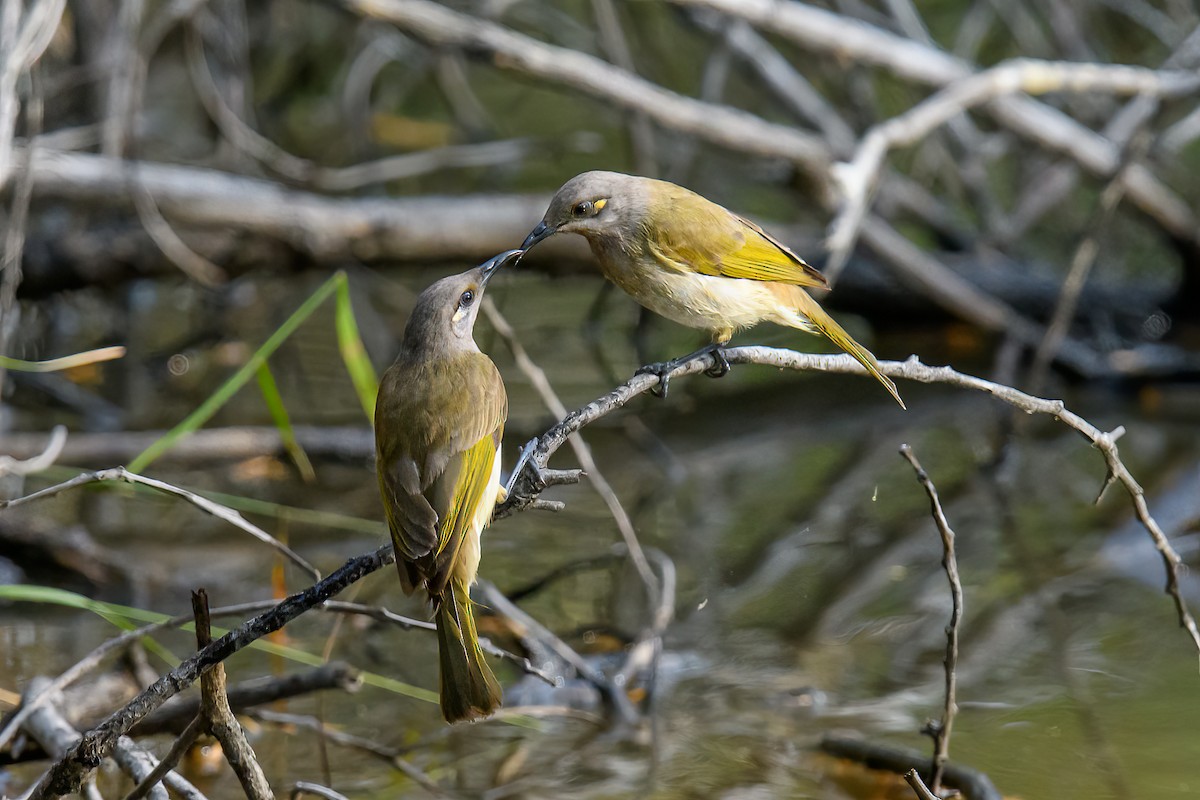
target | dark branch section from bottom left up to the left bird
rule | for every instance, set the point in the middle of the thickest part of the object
(68, 774)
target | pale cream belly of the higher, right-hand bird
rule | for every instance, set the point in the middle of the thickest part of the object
(704, 302)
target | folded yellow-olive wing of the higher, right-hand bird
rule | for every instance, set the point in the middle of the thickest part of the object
(697, 236)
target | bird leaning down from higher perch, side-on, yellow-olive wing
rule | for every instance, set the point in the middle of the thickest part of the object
(694, 262)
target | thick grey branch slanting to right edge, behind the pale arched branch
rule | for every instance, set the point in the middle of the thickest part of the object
(855, 41)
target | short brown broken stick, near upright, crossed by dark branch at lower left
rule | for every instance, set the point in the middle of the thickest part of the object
(220, 719)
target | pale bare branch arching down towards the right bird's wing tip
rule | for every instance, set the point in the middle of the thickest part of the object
(857, 179)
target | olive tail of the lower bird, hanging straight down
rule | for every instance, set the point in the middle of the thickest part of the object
(469, 688)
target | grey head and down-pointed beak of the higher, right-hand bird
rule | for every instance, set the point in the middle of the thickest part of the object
(595, 204)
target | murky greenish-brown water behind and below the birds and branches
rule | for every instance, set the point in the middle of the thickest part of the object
(811, 594)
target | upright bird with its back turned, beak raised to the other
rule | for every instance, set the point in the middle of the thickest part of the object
(440, 418)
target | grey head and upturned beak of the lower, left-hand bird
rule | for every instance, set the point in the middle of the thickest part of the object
(445, 316)
